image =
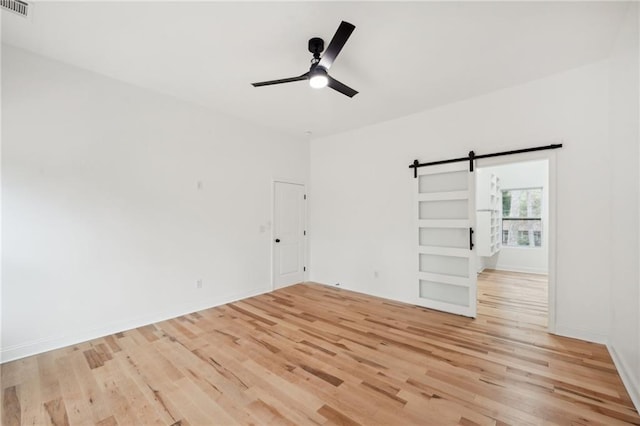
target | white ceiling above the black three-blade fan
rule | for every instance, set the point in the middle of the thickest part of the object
(402, 57)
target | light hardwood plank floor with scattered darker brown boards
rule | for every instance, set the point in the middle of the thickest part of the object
(311, 354)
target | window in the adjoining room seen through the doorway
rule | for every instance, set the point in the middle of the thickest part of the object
(522, 217)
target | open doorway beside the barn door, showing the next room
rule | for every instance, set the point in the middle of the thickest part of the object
(515, 239)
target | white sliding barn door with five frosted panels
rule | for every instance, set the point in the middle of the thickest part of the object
(446, 218)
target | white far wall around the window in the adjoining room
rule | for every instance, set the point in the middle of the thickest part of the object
(530, 174)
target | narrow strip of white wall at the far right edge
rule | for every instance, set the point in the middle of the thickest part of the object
(624, 339)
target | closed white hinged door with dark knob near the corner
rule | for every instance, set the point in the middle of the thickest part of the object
(288, 234)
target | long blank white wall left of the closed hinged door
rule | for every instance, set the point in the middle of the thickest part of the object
(104, 227)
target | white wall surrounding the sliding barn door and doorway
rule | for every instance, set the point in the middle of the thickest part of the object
(362, 211)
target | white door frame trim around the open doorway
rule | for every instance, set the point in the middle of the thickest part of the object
(551, 157)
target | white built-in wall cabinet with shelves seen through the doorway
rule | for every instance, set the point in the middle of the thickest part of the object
(488, 213)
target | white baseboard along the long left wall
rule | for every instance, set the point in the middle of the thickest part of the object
(38, 346)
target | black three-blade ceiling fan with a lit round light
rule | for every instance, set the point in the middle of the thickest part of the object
(318, 74)
